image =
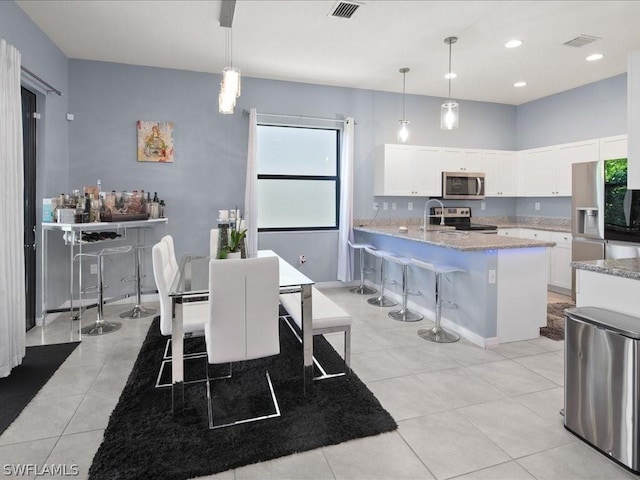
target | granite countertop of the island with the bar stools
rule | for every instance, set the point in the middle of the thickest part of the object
(448, 237)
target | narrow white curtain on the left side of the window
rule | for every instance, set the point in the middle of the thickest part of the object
(251, 187)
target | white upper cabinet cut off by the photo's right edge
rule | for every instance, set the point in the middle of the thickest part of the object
(633, 120)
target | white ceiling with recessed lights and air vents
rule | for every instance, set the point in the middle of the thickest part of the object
(298, 41)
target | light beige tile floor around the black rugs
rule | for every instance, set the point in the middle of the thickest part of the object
(463, 412)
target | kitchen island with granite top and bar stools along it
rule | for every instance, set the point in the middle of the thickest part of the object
(502, 294)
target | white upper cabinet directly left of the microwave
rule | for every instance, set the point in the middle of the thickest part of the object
(408, 170)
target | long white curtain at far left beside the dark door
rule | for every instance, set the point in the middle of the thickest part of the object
(12, 294)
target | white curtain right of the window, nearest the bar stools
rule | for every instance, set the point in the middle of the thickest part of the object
(345, 256)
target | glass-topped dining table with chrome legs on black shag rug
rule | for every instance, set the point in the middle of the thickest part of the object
(192, 282)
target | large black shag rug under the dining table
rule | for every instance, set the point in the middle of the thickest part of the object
(144, 441)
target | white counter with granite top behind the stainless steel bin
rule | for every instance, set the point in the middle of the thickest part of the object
(609, 284)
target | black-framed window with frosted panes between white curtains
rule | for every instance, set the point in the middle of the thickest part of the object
(298, 181)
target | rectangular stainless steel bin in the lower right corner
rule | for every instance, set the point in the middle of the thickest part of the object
(602, 382)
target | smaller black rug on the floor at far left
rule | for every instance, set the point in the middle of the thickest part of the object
(38, 365)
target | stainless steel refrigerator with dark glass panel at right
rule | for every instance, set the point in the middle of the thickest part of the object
(605, 218)
